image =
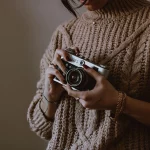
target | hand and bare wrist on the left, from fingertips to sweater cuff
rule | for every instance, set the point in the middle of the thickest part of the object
(54, 90)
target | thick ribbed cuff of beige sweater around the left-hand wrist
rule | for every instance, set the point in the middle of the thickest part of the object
(38, 122)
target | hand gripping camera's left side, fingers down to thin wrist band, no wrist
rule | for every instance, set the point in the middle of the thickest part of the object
(53, 90)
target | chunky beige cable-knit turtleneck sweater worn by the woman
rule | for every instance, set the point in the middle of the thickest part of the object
(118, 36)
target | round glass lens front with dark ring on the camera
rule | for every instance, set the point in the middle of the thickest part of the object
(74, 77)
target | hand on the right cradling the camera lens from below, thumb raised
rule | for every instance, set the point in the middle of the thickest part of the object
(103, 96)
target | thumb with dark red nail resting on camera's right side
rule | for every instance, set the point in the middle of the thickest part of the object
(92, 72)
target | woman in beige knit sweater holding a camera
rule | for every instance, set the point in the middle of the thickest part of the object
(115, 114)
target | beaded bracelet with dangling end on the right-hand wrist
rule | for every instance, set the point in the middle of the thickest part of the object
(119, 109)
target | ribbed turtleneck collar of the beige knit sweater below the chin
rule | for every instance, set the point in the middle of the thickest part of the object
(115, 9)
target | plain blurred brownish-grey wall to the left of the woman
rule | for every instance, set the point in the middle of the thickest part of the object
(25, 31)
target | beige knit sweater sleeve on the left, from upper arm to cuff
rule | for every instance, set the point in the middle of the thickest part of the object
(37, 121)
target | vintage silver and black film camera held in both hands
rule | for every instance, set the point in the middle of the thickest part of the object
(75, 75)
